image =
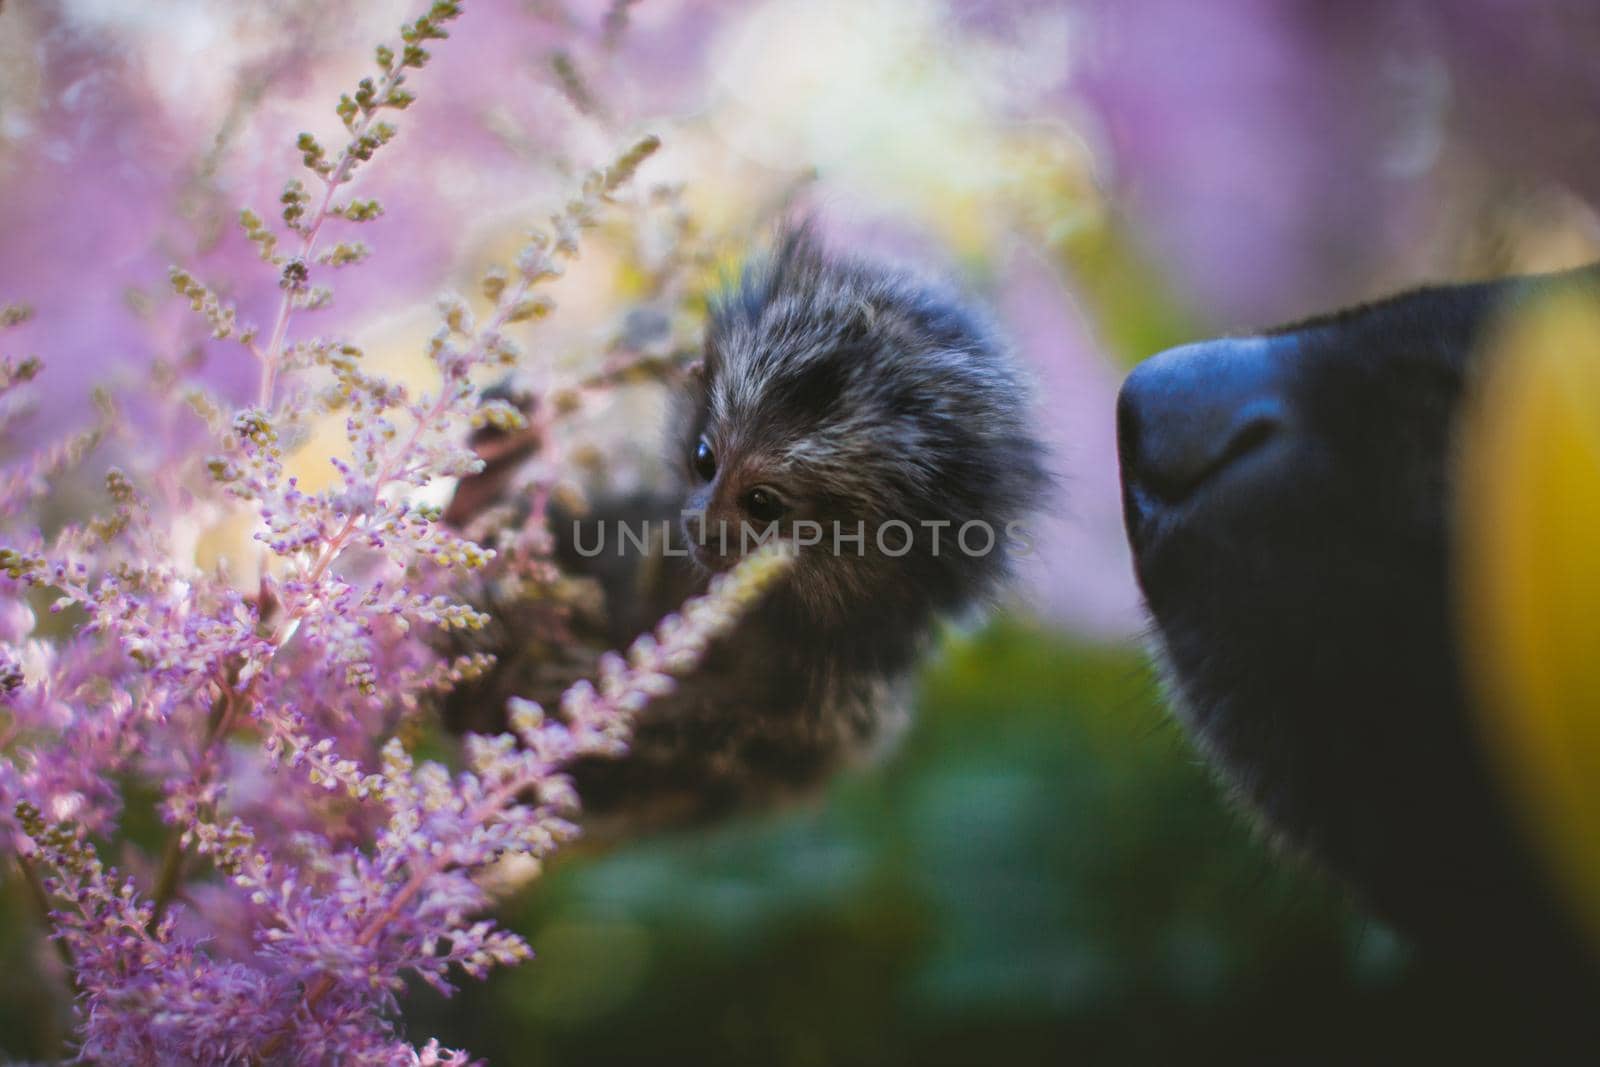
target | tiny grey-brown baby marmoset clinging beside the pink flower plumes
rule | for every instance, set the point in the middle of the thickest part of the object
(874, 420)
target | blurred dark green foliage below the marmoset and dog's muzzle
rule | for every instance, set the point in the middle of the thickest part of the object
(1044, 871)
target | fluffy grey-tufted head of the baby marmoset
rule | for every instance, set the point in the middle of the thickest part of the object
(870, 418)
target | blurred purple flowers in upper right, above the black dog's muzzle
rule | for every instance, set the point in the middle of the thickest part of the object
(1279, 159)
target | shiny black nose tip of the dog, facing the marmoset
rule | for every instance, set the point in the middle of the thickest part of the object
(1190, 414)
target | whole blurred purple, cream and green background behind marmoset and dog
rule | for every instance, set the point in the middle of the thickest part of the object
(1046, 871)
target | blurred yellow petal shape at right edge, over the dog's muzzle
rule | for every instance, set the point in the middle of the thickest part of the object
(1530, 564)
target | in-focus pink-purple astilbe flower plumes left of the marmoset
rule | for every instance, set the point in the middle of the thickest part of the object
(313, 865)
